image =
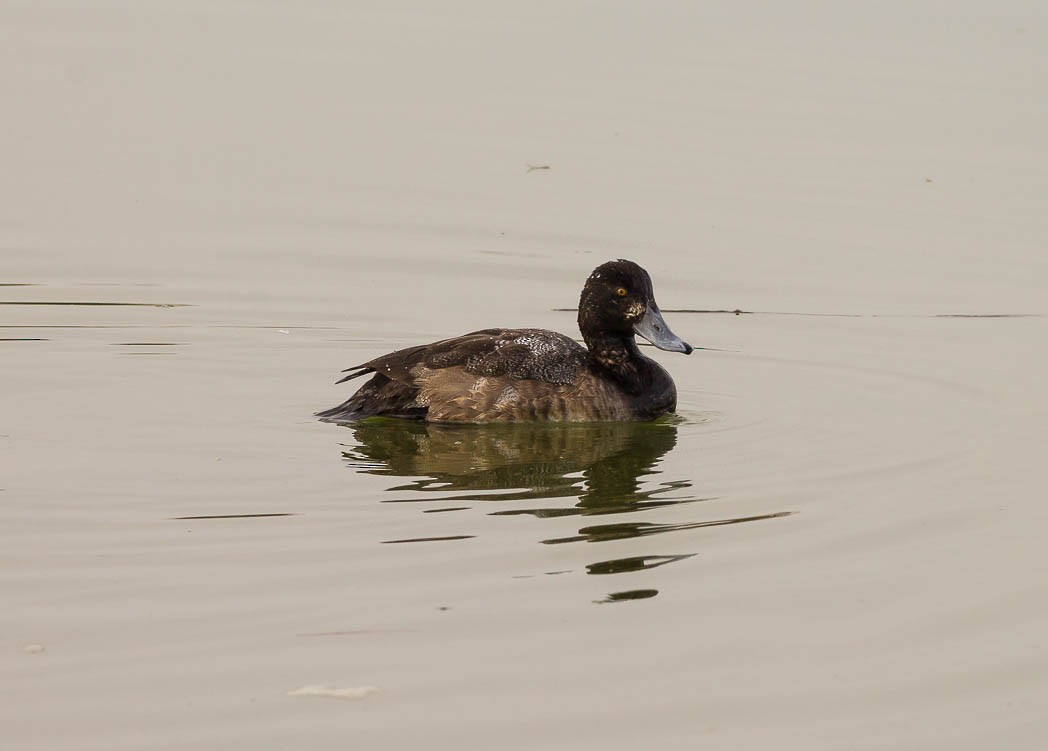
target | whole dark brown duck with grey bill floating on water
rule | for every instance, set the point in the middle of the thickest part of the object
(533, 375)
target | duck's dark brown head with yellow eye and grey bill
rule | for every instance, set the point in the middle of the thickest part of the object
(619, 301)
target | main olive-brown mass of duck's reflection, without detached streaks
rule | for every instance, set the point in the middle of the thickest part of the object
(598, 466)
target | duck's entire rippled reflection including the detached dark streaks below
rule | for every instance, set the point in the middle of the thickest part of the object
(599, 469)
